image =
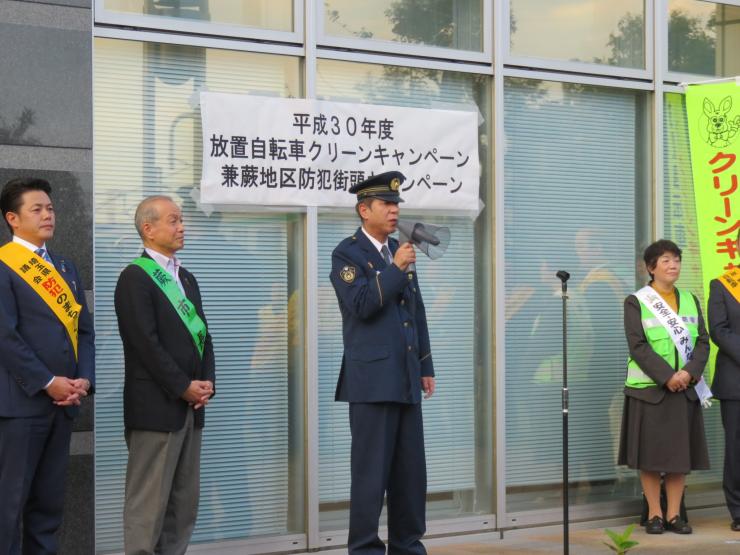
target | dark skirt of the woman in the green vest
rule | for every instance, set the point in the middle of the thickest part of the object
(664, 437)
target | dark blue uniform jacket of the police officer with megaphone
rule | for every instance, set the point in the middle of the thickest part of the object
(386, 340)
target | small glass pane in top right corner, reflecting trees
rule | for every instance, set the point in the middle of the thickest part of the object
(703, 38)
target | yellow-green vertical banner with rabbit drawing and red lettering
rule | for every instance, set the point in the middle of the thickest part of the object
(713, 119)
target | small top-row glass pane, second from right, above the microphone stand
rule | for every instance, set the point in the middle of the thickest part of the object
(600, 31)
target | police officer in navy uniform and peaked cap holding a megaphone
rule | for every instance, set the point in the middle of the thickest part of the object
(386, 365)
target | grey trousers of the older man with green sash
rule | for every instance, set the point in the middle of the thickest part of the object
(162, 490)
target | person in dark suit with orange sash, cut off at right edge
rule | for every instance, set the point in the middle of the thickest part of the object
(723, 313)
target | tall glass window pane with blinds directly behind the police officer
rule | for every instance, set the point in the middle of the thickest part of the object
(456, 290)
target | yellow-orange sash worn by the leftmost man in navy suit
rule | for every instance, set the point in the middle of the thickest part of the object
(47, 283)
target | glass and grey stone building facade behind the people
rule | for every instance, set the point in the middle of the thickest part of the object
(584, 153)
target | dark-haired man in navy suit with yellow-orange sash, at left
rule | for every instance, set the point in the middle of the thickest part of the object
(46, 367)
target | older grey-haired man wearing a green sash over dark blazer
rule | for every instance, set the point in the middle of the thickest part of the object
(169, 378)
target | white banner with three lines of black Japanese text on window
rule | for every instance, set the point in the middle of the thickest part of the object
(293, 152)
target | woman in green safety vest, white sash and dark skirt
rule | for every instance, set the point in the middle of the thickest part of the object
(662, 423)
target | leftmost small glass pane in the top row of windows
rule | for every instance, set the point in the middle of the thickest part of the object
(276, 15)
